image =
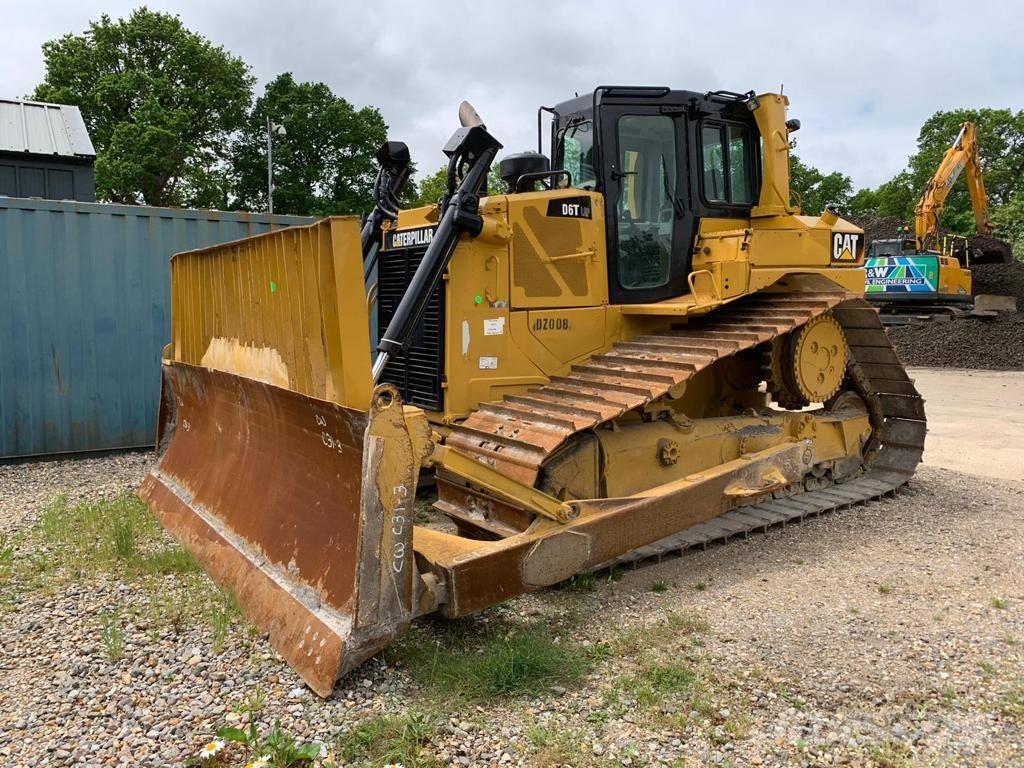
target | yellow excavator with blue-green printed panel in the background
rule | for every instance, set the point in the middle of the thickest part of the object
(915, 273)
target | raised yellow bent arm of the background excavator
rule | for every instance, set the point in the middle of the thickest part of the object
(963, 155)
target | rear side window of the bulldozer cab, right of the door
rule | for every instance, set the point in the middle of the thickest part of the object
(728, 151)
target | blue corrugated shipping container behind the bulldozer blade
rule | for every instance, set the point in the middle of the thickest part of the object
(86, 314)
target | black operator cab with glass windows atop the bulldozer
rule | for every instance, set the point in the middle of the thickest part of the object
(664, 160)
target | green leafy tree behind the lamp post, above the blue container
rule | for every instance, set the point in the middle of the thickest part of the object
(323, 165)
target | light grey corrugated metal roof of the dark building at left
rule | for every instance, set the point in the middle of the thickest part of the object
(40, 129)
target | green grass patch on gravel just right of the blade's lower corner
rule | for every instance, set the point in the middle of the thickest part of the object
(495, 659)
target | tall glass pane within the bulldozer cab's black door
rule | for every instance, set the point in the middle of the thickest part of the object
(647, 168)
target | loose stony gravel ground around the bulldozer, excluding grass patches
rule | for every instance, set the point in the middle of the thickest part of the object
(885, 635)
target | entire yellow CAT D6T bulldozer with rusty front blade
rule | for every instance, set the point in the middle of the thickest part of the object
(641, 348)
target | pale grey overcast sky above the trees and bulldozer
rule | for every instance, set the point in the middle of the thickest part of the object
(861, 76)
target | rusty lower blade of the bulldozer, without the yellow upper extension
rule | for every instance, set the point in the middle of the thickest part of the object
(300, 506)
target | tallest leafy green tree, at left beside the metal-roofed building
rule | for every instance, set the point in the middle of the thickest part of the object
(160, 103)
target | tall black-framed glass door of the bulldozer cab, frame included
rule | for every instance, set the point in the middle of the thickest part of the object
(650, 218)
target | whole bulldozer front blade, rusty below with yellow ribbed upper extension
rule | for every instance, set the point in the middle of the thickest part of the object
(281, 471)
